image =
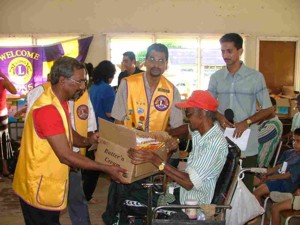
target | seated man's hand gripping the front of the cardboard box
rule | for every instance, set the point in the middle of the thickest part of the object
(140, 156)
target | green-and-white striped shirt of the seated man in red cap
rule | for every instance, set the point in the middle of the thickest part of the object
(205, 164)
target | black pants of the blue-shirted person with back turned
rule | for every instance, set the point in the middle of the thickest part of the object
(90, 178)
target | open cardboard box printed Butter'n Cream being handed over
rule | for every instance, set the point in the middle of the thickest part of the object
(115, 140)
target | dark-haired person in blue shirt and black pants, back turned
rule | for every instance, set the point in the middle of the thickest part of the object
(102, 97)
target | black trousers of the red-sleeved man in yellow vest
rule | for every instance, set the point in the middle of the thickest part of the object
(35, 216)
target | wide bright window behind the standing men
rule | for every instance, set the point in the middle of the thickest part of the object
(192, 59)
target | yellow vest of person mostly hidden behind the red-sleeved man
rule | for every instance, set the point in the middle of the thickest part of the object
(81, 114)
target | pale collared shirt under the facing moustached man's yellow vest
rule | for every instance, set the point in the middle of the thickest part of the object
(120, 104)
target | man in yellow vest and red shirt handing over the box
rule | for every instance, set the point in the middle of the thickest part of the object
(42, 174)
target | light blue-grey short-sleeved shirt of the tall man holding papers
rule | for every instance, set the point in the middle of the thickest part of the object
(240, 93)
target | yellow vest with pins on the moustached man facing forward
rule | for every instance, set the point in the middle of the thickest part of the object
(144, 116)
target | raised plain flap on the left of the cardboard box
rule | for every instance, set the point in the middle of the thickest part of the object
(117, 134)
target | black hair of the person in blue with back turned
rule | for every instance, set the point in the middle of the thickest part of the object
(103, 71)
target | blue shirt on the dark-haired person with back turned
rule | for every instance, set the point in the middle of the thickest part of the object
(102, 96)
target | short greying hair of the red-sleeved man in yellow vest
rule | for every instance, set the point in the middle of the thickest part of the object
(64, 66)
